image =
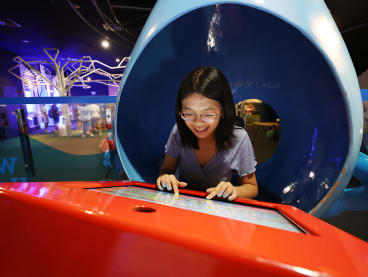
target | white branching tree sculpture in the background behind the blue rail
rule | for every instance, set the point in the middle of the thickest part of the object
(71, 72)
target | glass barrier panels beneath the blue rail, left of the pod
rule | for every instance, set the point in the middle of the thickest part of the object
(63, 149)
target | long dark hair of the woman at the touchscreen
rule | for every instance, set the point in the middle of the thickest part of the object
(211, 83)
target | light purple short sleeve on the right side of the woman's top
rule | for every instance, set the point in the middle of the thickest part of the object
(246, 161)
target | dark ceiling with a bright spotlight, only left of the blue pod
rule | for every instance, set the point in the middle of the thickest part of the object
(74, 27)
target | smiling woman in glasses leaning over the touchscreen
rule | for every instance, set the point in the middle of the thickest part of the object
(205, 144)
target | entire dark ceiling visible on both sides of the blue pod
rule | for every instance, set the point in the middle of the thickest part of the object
(77, 27)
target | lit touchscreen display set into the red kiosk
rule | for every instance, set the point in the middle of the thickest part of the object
(251, 214)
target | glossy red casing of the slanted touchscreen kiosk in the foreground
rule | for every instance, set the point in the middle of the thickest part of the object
(60, 229)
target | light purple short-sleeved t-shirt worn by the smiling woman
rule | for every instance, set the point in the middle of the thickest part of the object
(237, 161)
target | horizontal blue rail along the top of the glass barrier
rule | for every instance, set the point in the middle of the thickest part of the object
(57, 100)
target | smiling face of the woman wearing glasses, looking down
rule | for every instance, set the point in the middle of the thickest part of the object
(203, 108)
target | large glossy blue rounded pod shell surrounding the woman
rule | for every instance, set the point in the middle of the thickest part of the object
(267, 51)
